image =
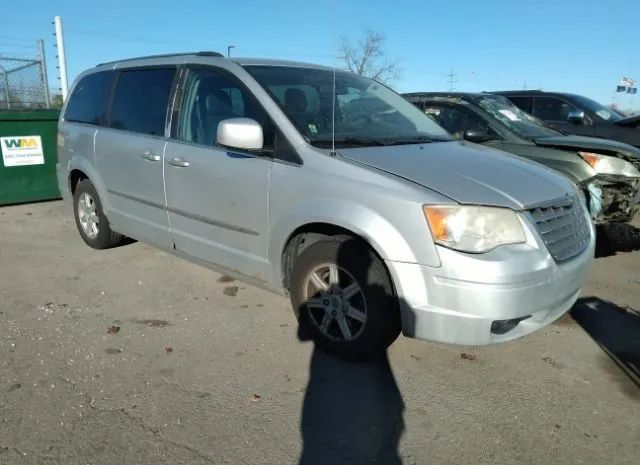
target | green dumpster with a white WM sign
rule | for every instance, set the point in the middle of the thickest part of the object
(28, 158)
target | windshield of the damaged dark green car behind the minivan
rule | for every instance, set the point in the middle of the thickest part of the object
(522, 124)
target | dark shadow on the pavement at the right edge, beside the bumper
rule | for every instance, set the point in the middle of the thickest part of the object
(615, 329)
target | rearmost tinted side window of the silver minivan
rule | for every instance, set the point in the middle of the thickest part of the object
(87, 104)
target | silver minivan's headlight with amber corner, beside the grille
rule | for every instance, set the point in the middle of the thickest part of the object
(473, 229)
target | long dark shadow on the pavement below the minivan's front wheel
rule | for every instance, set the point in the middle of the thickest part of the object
(352, 412)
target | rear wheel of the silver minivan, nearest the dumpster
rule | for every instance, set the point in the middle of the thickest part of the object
(91, 221)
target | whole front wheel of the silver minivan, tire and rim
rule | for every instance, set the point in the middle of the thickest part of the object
(344, 299)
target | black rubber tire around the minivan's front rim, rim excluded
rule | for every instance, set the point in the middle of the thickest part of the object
(383, 318)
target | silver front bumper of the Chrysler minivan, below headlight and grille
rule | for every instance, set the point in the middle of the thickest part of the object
(458, 302)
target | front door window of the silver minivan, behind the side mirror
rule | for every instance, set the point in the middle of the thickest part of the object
(209, 98)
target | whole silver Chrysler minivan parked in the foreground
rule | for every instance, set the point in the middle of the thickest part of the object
(325, 186)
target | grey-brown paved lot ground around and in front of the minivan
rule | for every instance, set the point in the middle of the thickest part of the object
(132, 356)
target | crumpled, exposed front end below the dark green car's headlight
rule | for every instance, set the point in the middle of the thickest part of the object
(613, 198)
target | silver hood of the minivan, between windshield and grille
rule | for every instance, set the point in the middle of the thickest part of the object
(467, 173)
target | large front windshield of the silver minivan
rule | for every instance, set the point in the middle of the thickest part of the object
(366, 112)
